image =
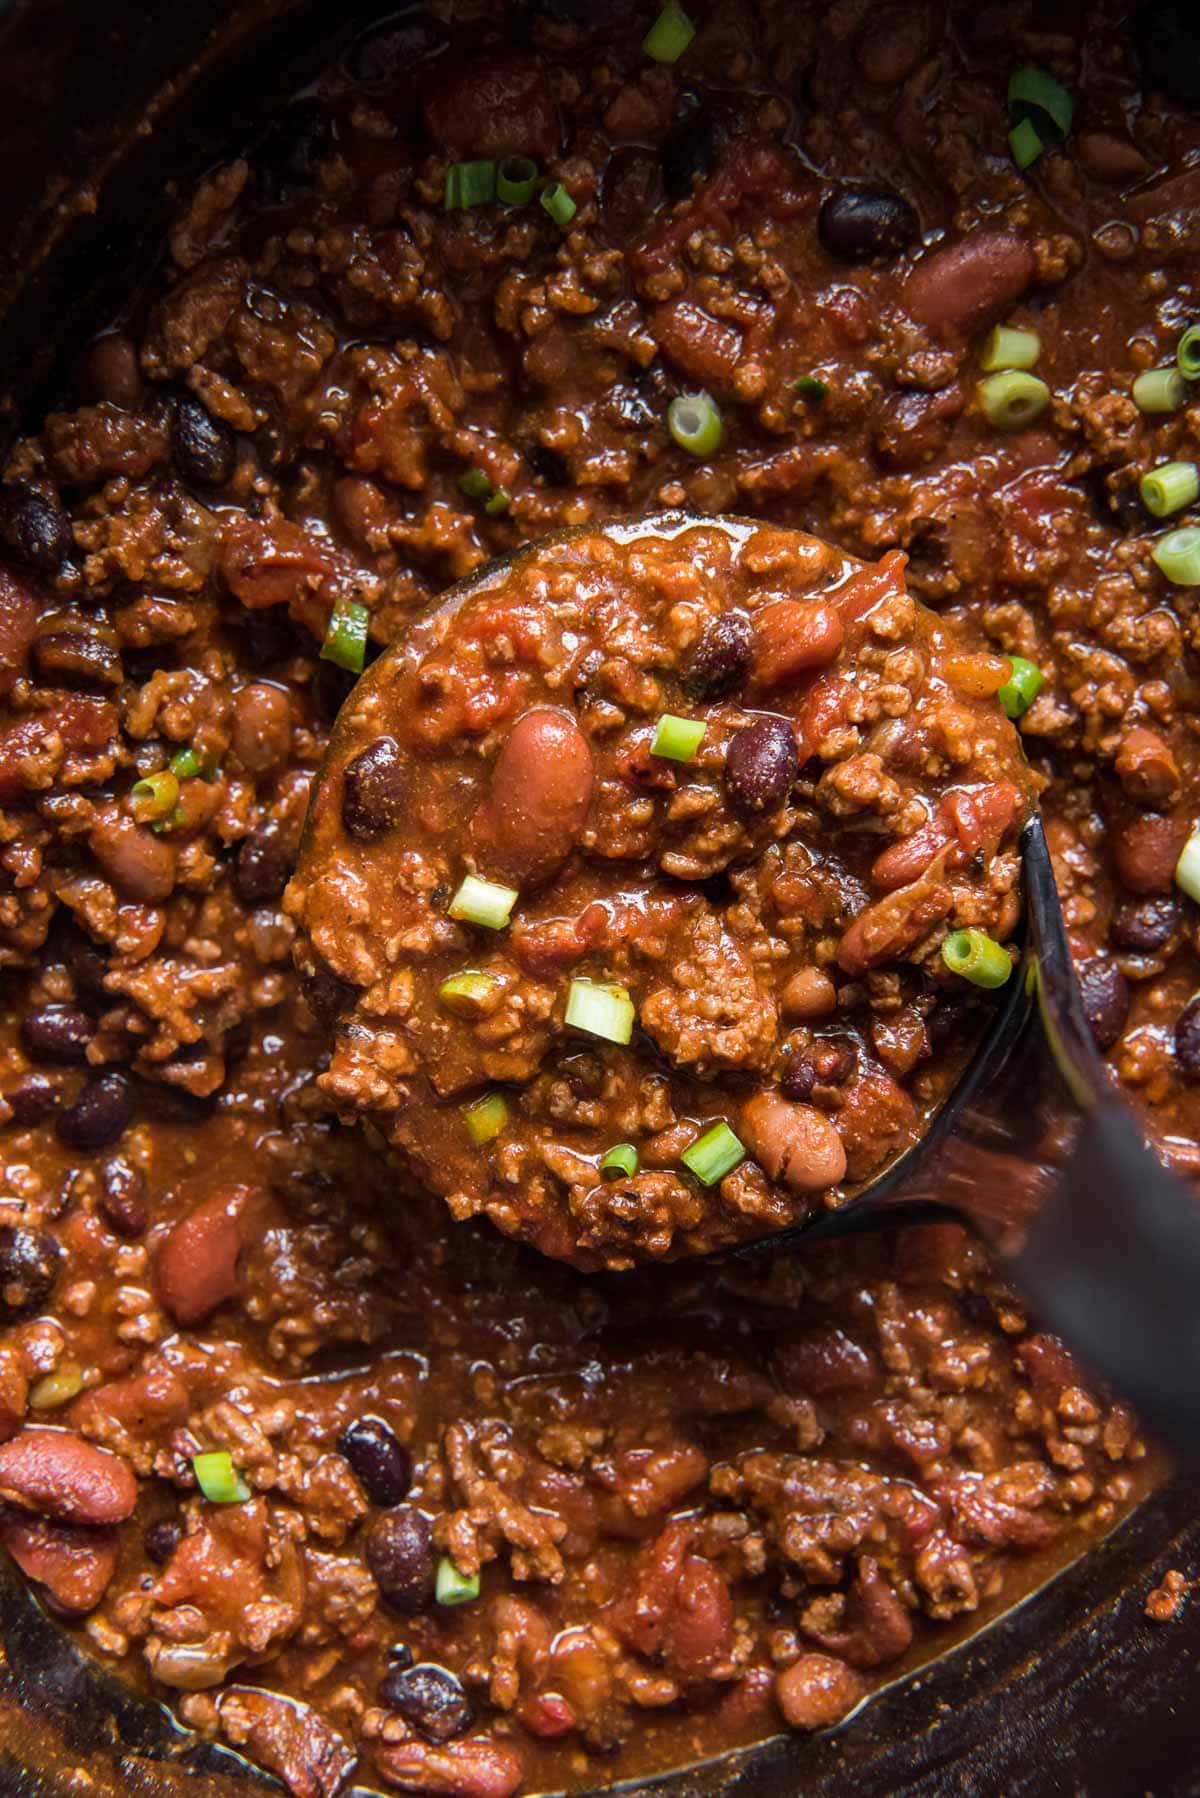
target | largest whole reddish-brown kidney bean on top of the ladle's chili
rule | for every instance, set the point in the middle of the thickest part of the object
(539, 801)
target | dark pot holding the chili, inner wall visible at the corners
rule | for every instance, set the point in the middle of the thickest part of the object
(1075, 1693)
